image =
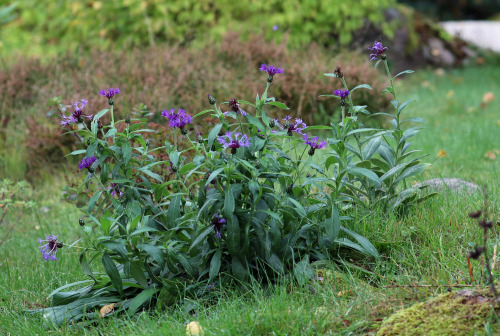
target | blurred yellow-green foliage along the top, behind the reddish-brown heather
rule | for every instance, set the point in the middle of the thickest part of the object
(125, 23)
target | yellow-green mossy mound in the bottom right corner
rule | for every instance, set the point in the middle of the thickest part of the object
(456, 313)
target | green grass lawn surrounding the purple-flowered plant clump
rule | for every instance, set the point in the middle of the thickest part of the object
(428, 247)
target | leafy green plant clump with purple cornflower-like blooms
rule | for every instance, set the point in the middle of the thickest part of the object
(259, 198)
